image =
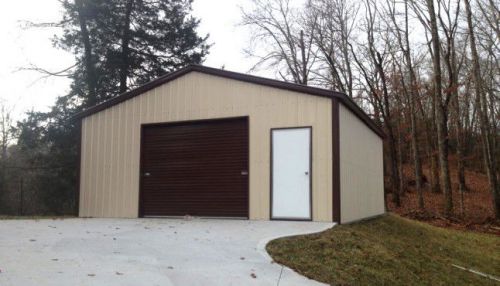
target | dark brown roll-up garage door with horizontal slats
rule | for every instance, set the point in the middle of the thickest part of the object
(195, 168)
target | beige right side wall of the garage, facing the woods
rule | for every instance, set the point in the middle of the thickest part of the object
(361, 169)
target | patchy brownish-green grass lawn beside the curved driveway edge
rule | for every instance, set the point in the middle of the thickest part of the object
(390, 250)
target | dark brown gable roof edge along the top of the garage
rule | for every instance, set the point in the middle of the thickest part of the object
(343, 98)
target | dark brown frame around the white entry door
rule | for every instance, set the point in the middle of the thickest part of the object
(310, 175)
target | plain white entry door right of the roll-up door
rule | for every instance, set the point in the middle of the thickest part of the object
(291, 173)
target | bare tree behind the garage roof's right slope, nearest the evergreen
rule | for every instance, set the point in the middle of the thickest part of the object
(290, 48)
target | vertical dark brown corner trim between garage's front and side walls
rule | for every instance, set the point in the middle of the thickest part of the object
(335, 162)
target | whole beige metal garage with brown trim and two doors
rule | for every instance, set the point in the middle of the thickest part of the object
(209, 142)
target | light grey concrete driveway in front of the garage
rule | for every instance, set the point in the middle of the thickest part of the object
(145, 252)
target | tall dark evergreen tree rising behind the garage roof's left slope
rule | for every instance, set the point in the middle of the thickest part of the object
(120, 44)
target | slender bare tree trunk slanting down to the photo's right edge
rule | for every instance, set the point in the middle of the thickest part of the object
(490, 160)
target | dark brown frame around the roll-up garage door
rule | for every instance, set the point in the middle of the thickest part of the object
(140, 210)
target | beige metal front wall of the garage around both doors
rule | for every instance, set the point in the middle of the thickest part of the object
(109, 182)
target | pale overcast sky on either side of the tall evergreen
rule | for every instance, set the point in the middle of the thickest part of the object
(23, 90)
